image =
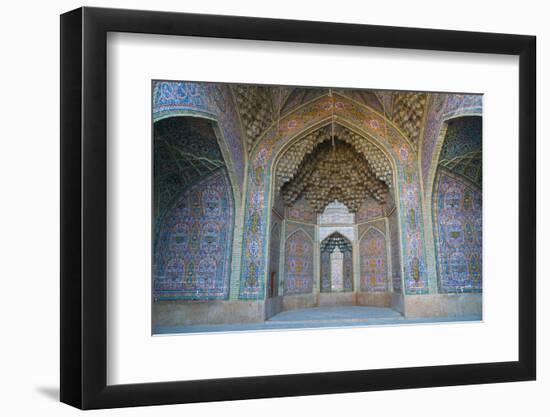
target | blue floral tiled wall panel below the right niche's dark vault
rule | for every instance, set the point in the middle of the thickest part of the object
(457, 219)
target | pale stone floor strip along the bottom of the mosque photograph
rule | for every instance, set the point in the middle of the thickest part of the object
(317, 317)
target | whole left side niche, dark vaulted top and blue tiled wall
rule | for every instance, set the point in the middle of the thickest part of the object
(194, 212)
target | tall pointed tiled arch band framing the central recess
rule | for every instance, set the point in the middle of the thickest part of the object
(291, 128)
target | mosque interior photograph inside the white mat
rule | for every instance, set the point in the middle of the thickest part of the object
(283, 207)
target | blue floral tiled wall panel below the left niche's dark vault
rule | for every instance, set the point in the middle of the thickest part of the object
(193, 256)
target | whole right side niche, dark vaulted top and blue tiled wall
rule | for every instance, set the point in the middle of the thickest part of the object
(457, 207)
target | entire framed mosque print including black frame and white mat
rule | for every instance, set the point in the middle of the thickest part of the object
(257, 208)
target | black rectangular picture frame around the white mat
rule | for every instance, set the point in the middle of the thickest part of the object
(84, 207)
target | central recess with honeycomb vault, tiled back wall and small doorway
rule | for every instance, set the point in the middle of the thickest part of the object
(331, 187)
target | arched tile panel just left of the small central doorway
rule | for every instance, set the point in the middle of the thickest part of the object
(298, 264)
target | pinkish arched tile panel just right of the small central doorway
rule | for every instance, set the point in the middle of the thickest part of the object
(373, 255)
